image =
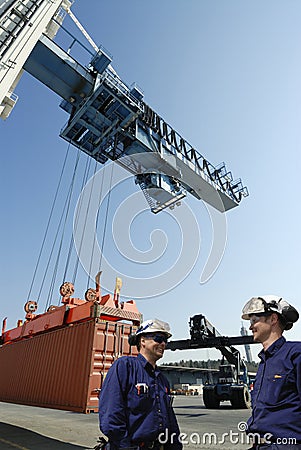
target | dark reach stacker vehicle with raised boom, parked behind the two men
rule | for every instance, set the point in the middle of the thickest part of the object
(233, 383)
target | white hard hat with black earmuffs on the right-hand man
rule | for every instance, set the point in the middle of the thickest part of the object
(267, 304)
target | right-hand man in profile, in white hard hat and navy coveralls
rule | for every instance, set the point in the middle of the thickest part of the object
(276, 398)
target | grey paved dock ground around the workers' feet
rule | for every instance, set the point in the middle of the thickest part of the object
(30, 428)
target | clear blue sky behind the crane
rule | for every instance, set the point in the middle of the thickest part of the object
(226, 75)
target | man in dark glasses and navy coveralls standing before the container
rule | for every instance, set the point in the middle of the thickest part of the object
(135, 410)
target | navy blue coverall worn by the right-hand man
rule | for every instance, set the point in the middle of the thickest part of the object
(276, 397)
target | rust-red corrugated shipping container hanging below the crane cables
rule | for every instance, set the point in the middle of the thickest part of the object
(62, 369)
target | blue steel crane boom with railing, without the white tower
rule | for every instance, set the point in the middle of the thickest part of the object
(108, 120)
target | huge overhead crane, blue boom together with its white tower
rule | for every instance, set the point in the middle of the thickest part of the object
(108, 120)
